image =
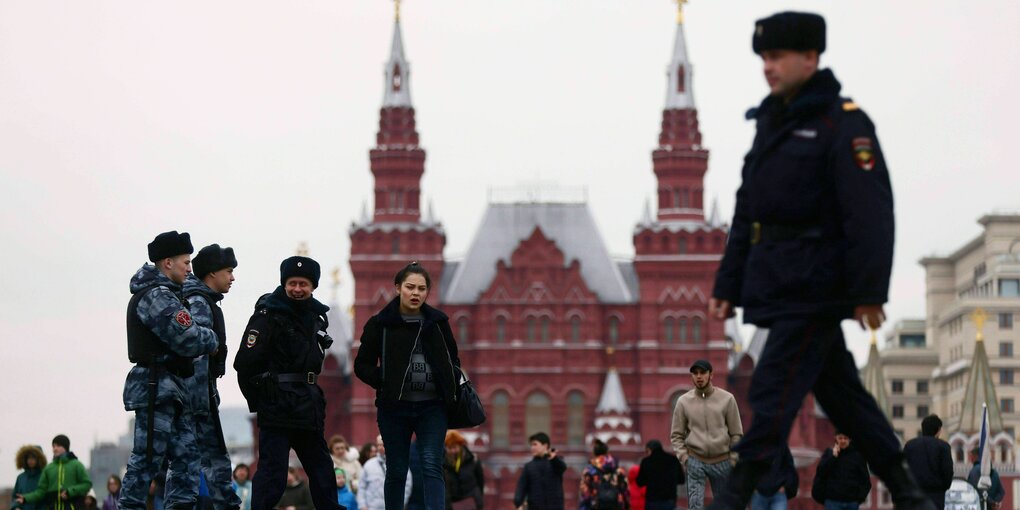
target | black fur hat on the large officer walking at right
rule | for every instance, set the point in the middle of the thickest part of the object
(790, 31)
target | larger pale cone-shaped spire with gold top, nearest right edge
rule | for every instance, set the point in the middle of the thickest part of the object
(981, 389)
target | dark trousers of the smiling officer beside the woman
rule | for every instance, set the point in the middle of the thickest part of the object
(274, 454)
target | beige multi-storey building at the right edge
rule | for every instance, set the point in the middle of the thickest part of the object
(939, 366)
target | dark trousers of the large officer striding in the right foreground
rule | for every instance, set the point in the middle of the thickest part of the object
(802, 356)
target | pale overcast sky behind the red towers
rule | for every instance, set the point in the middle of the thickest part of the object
(248, 124)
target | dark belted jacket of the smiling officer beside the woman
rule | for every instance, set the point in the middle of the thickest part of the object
(284, 337)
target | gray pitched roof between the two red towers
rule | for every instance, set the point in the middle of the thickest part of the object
(572, 227)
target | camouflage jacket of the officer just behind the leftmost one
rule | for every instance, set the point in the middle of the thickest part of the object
(205, 308)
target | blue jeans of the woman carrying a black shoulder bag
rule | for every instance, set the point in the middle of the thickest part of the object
(427, 421)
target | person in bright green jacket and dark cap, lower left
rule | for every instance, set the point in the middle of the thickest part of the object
(64, 483)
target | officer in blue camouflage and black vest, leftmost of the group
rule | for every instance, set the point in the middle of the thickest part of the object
(163, 339)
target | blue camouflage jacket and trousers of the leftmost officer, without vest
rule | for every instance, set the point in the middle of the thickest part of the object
(163, 312)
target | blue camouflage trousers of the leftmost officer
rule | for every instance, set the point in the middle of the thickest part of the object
(173, 441)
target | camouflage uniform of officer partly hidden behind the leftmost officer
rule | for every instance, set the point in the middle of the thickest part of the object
(206, 398)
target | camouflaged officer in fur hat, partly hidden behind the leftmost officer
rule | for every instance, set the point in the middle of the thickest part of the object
(205, 289)
